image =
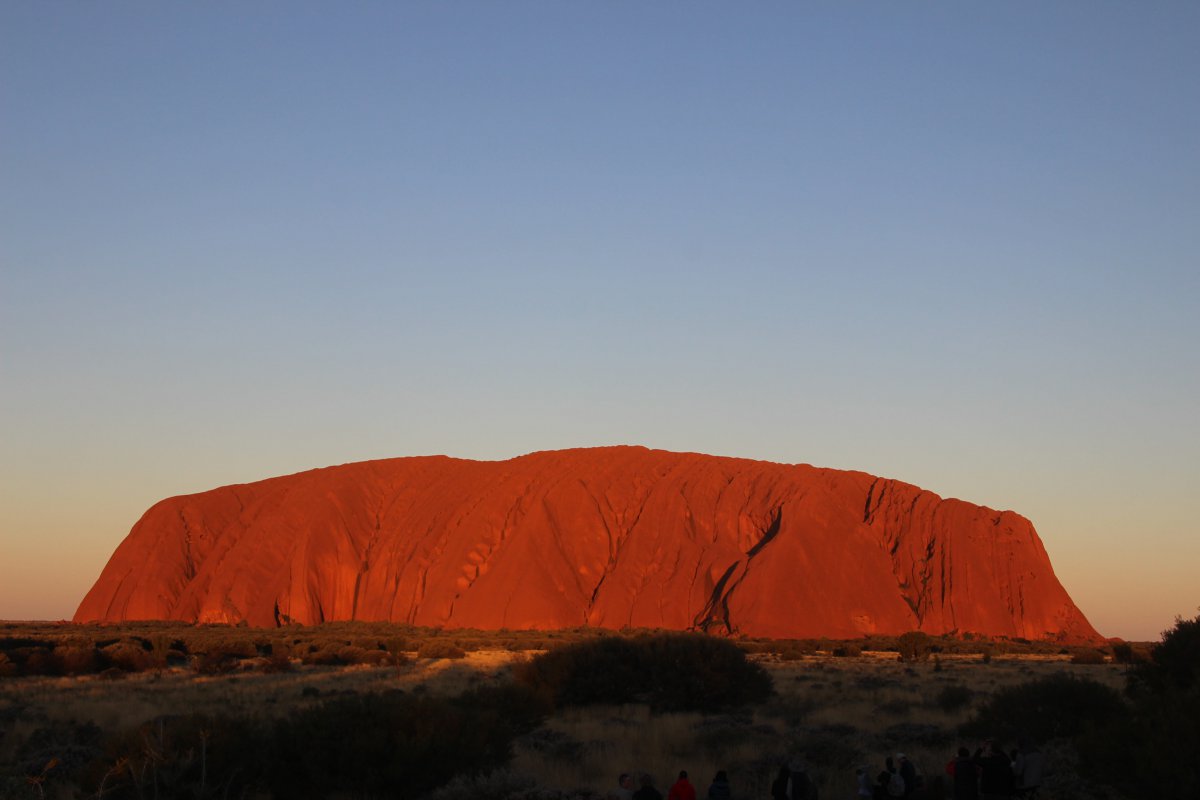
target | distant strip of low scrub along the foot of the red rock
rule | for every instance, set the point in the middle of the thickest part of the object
(115, 649)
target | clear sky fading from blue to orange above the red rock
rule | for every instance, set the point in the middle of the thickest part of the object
(952, 244)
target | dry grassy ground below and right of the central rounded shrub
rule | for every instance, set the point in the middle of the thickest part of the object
(836, 713)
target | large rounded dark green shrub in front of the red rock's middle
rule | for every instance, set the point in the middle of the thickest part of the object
(669, 672)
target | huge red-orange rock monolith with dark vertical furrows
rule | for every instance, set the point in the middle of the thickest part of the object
(610, 537)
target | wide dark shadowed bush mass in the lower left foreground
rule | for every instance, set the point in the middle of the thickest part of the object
(388, 744)
